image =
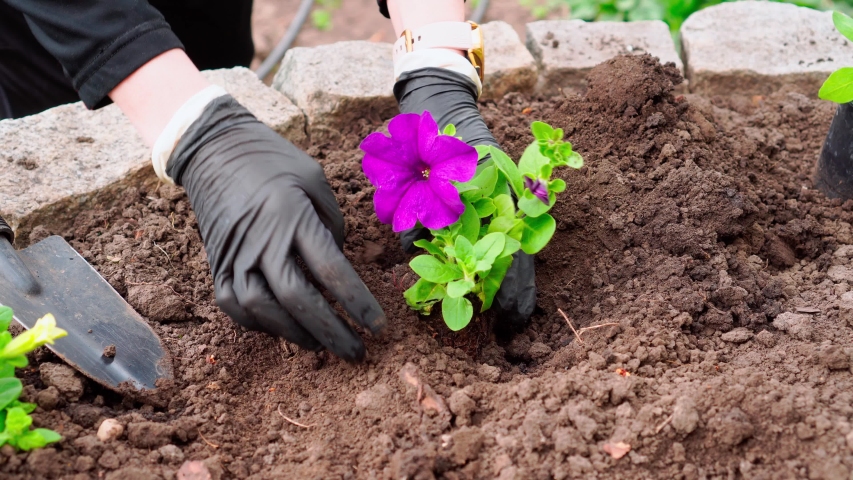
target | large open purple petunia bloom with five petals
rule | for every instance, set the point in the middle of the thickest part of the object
(412, 171)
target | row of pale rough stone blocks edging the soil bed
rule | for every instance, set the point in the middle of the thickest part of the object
(55, 163)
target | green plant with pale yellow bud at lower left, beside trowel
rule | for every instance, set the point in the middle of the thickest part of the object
(15, 420)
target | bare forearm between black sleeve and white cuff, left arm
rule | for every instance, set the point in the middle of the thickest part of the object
(151, 95)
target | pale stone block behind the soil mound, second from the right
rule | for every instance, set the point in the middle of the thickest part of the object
(566, 50)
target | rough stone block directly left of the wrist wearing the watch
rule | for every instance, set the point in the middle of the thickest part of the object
(337, 84)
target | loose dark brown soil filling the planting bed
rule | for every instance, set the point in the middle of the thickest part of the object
(693, 228)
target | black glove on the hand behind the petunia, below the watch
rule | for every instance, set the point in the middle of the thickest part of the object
(452, 98)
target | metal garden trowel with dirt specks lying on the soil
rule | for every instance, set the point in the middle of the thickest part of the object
(107, 340)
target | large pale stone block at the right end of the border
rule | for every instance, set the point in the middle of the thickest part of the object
(755, 48)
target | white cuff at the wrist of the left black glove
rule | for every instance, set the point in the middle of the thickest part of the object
(178, 125)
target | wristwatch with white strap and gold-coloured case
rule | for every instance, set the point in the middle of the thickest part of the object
(465, 36)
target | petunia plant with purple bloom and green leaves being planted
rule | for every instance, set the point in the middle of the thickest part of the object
(466, 197)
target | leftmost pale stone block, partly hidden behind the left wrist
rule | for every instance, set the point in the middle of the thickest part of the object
(57, 162)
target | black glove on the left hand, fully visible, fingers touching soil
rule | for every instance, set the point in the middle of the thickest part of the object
(260, 202)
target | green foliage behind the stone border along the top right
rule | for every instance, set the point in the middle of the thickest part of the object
(673, 12)
